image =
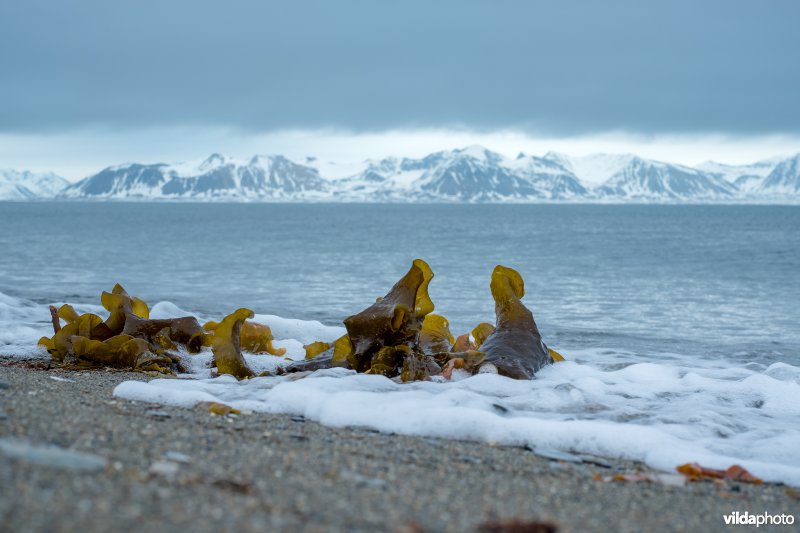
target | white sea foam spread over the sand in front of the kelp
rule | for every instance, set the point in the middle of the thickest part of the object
(661, 414)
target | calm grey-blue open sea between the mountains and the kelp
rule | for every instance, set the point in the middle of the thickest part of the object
(701, 281)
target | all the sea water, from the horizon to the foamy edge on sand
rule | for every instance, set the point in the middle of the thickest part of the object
(680, 323)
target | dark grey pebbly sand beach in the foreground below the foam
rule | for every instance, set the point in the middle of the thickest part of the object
(258, 472)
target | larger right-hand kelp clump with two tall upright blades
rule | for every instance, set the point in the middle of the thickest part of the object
(399, 336)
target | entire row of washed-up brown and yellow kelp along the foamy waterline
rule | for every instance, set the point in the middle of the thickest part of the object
(398, 336)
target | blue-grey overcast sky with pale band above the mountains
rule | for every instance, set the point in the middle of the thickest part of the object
(85, 84)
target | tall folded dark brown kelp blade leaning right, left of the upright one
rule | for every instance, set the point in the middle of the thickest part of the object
(392, 320)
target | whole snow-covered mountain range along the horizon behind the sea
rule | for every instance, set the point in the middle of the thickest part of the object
(472, 174)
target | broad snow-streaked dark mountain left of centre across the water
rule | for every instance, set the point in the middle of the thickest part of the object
(217, 177)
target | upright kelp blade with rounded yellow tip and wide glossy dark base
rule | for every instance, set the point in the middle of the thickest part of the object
(515, 349)
